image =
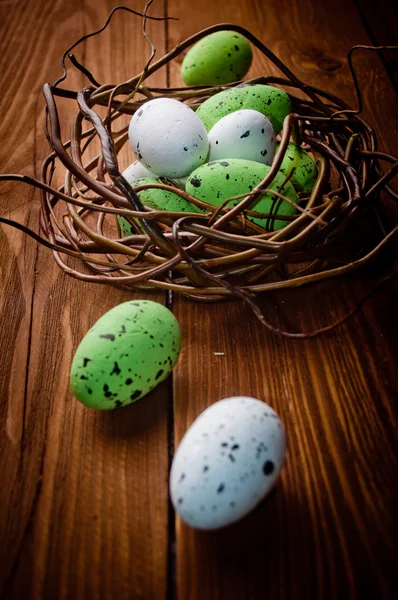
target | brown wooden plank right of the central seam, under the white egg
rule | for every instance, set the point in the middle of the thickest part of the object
(328, 529)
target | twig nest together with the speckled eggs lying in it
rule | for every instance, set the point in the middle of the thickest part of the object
(228, 244)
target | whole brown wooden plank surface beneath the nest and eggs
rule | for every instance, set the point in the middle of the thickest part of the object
(84, 509)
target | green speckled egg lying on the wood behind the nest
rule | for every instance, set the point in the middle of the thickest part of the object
(221, 57)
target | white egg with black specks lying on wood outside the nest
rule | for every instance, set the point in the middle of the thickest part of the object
(227, 462)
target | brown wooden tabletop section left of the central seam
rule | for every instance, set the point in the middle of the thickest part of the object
(83, 510)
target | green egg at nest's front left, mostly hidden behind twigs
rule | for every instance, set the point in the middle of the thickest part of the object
(158, 200)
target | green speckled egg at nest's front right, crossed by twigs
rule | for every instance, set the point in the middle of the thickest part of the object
(218, 180)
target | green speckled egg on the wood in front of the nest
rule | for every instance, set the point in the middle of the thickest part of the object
(126, 354)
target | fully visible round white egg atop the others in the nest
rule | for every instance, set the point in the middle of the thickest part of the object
(168, 137)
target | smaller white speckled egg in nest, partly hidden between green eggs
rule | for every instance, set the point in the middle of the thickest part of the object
(244, 134)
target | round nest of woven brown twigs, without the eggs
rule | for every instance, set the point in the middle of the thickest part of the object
(219, 252)
